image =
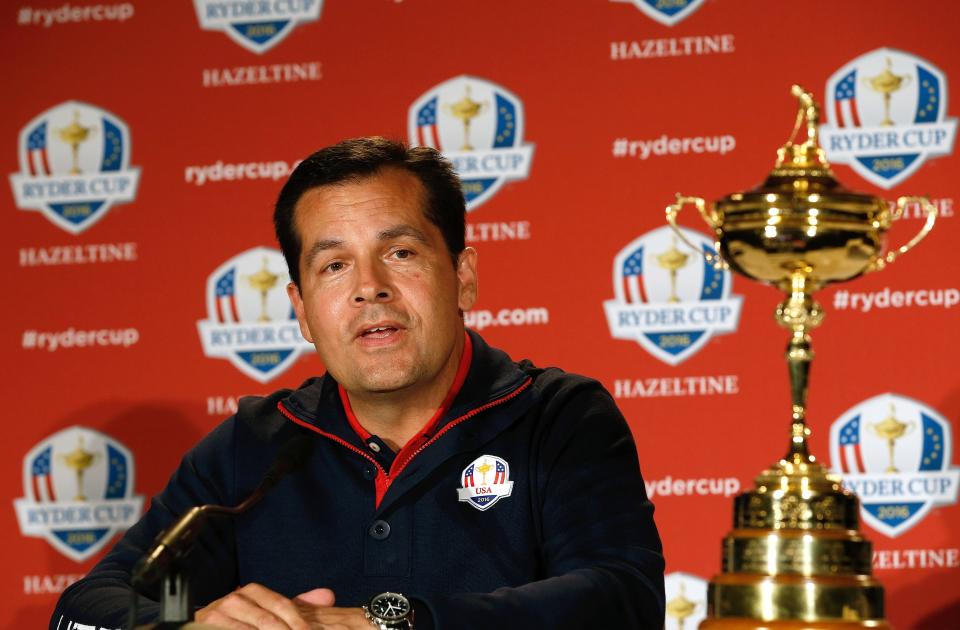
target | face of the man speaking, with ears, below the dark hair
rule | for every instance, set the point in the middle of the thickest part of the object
(379, 295)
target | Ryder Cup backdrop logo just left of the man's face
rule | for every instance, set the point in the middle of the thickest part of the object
(250, 320)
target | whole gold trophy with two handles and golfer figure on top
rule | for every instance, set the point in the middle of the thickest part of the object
(795, 558)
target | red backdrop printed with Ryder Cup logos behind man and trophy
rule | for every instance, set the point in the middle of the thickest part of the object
(589, 117)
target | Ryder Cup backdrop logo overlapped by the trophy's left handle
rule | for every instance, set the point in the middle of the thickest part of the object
(668, 298)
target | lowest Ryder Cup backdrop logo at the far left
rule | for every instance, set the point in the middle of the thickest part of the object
(78, 487)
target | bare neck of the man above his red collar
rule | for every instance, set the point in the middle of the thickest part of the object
(395, 417)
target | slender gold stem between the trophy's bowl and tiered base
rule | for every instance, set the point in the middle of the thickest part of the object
(799, 313)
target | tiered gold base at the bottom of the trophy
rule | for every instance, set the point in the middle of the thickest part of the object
(795, 559)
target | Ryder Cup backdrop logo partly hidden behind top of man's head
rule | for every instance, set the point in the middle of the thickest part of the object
(478, 126)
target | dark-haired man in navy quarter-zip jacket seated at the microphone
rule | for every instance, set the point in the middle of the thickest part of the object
(446, 486)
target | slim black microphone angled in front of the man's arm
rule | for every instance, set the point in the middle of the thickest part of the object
(172, 544)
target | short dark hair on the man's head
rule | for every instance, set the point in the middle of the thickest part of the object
(358, 158)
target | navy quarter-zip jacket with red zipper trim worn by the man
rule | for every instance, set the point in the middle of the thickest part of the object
(573, 546)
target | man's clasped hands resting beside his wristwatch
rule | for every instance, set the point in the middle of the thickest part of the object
(255, 607)
